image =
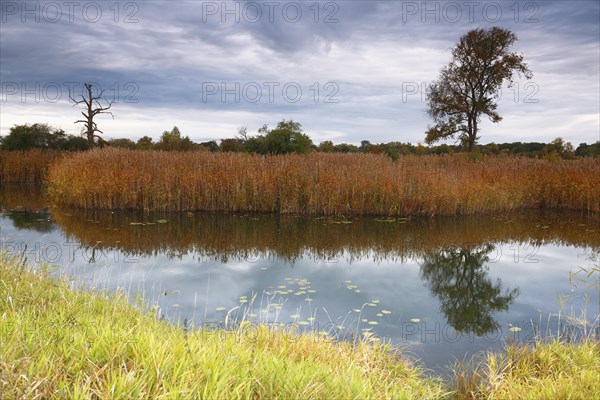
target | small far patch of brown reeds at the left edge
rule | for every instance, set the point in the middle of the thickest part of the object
(29, 166)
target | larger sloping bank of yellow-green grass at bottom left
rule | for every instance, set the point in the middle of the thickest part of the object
(60, 343)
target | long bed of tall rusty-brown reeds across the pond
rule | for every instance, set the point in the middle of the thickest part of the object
(321, 184)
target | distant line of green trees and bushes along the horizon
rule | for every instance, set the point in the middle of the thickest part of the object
(287, 137)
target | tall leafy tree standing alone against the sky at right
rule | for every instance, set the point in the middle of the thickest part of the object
(469, 86)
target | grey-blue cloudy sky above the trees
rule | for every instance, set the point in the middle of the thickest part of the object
(346, 70)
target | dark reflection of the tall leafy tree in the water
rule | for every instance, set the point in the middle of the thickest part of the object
(459, 278)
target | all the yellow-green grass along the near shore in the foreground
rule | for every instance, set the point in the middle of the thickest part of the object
(60, 342)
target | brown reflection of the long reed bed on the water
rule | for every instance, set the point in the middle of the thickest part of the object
(225, 237)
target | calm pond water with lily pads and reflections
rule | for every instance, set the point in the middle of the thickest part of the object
(441, 288)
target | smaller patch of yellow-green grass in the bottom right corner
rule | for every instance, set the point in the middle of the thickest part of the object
(550, 370)
